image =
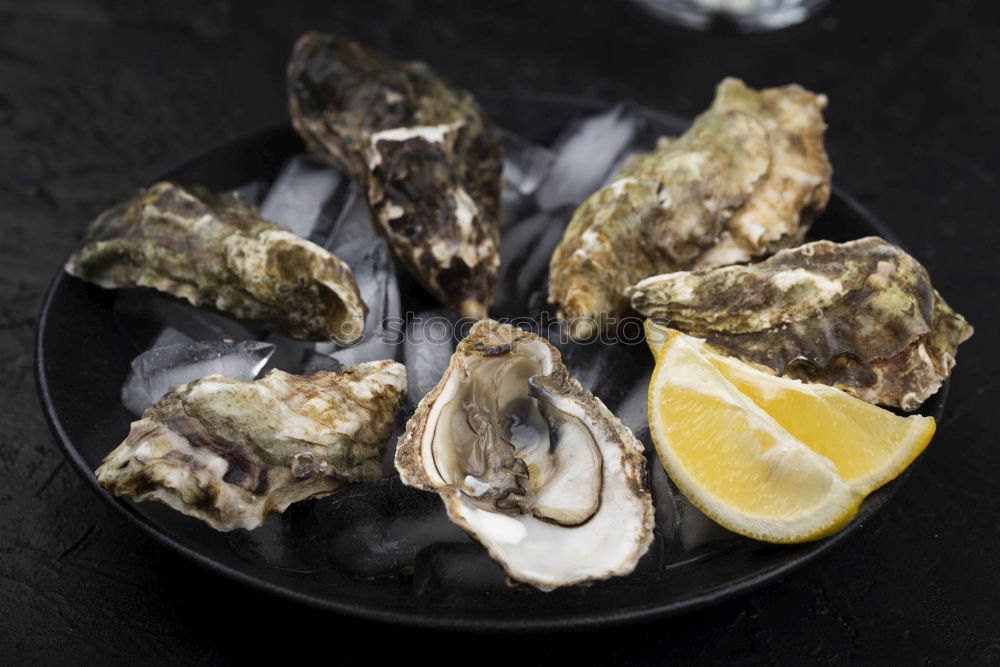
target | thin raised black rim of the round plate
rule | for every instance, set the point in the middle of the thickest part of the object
(453, 620)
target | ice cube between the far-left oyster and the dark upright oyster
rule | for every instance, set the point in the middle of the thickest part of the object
(298, 196)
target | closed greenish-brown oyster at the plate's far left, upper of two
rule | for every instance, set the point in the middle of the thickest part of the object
(216, 250)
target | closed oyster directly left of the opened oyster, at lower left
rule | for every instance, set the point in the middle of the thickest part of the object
(230, 452)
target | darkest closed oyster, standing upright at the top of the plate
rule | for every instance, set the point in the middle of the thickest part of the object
(423, 153)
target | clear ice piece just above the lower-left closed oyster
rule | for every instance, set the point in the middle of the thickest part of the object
(161, 368)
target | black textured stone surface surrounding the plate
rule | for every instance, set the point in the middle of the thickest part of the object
(98, 97)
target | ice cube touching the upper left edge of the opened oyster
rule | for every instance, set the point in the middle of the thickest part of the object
(427, 349)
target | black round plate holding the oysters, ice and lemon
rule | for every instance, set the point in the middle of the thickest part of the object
(383, 551)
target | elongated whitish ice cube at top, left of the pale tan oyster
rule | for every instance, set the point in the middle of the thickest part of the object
(586, 153)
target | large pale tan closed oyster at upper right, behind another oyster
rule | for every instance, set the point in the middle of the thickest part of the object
(746, 179)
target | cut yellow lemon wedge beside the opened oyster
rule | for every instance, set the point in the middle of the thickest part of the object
(771, 458)
